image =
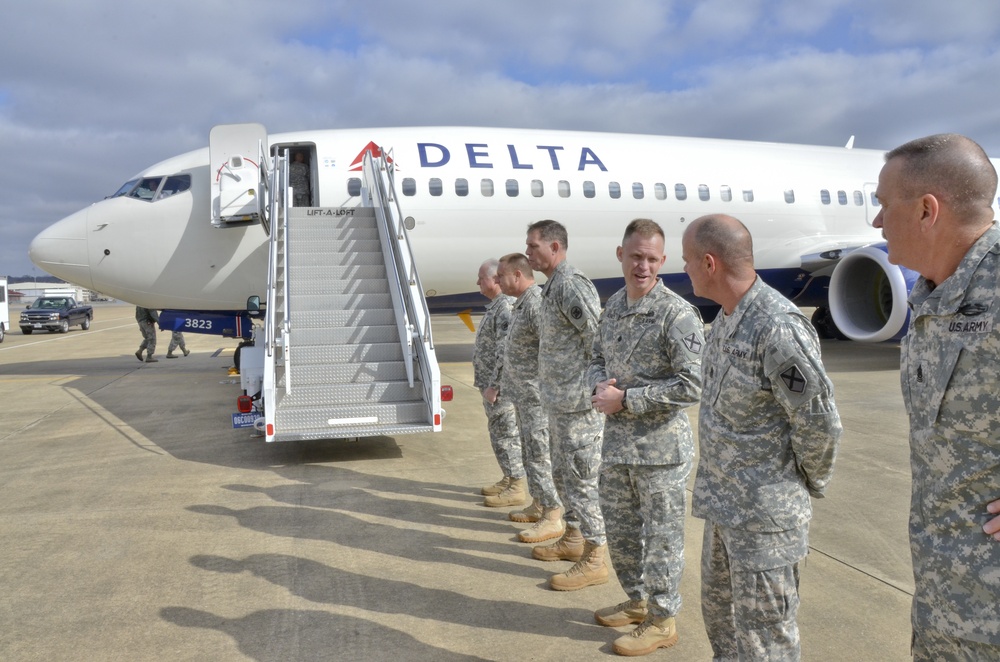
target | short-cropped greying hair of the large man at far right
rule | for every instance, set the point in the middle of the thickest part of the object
(951, 167)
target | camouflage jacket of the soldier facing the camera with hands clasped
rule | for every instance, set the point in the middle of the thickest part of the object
(653, 349)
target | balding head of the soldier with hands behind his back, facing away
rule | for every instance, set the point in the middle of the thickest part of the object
(718, 258)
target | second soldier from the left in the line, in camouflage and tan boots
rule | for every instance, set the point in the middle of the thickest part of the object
(519, 380)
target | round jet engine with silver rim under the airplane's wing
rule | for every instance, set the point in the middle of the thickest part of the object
(868, 294)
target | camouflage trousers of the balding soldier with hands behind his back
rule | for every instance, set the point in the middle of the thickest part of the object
(749, 592)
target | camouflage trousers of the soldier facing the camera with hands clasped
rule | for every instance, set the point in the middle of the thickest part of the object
(643, 508)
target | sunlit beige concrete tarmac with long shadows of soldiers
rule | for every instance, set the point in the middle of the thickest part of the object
(136, 524)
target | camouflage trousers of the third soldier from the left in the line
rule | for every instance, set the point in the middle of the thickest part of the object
(576, 439)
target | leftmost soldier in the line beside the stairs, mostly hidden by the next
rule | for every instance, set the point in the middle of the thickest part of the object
(487, 357)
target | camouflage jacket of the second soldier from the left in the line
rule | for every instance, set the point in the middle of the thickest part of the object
(519, 372)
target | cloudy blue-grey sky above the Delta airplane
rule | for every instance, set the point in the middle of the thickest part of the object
(91, 92)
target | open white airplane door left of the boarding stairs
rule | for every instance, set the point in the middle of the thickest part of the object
(235, 153)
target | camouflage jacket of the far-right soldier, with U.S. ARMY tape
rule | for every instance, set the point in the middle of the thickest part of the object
(950, 358)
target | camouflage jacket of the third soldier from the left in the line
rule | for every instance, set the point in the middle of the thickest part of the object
(568, 323)
